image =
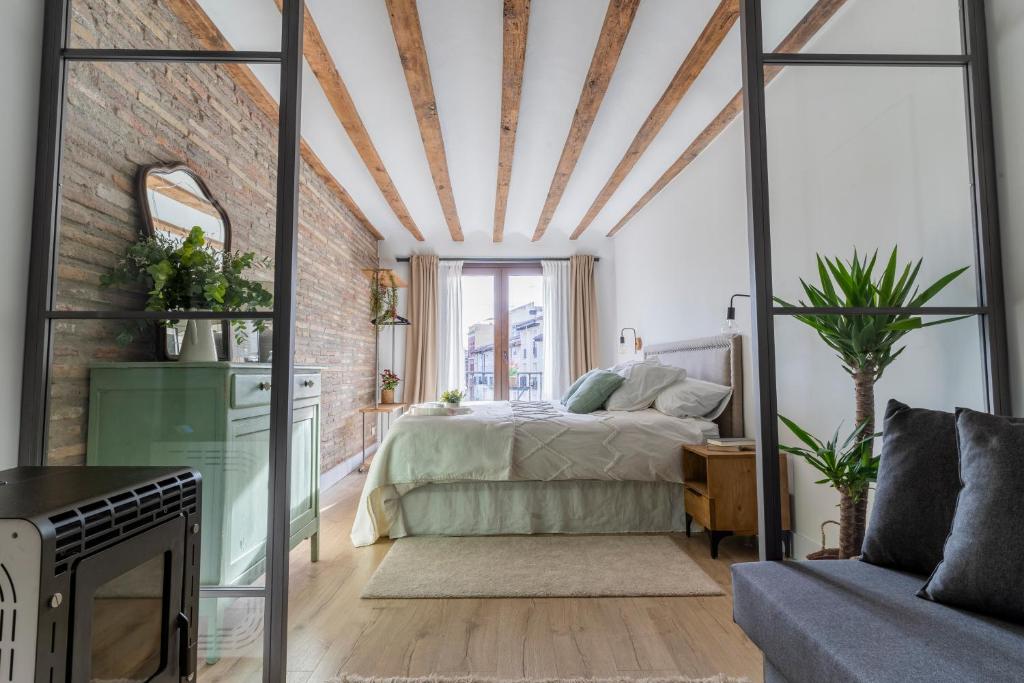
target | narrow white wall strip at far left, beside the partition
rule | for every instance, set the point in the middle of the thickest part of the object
(21, 48)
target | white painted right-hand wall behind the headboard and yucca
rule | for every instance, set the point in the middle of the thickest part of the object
(860, 158)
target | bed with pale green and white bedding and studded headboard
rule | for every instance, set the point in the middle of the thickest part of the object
(524, 467)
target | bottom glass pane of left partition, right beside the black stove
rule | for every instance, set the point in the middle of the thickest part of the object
(231, 639)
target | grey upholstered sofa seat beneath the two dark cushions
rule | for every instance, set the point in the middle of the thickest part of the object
(844, 621)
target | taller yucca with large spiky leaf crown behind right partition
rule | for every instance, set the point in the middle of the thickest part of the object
(867, 345)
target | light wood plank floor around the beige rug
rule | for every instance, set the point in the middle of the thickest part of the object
(332, 630)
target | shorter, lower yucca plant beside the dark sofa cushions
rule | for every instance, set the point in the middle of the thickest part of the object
(849, 467)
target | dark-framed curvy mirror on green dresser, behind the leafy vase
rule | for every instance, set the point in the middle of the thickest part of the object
(174, 199)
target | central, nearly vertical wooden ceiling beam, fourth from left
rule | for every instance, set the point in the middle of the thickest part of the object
(517, 22)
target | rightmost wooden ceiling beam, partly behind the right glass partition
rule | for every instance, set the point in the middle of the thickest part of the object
(806, 29)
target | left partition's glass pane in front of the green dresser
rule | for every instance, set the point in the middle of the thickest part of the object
(113, 403)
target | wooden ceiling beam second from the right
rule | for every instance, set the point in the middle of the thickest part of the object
(711, 38)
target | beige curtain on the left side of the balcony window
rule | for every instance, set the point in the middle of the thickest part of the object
(421, 340)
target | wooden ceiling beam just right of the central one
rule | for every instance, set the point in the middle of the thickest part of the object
(618, 22)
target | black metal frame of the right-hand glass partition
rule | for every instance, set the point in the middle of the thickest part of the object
(991, 306)
